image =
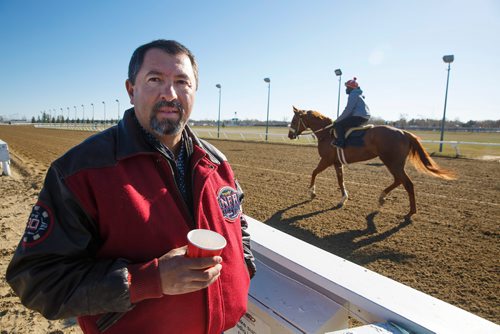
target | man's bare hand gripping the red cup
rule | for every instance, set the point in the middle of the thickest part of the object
(180, 274)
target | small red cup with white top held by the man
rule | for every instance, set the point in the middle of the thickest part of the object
(205, 243)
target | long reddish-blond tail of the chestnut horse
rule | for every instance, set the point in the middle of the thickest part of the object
(423, 162)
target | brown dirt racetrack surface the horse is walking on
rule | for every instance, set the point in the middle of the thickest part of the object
(449, 250)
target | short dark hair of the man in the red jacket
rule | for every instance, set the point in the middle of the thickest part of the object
(169, 46)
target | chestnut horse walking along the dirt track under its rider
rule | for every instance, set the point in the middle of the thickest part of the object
(393, 146)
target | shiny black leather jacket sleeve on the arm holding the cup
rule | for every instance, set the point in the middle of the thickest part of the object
(61, 277)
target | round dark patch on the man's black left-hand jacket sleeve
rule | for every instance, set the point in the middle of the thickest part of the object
(39, 225)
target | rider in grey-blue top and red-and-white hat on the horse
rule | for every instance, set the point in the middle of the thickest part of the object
(356, 113)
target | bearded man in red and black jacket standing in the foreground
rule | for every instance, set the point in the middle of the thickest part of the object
(106, 240)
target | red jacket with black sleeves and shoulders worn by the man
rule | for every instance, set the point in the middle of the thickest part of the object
(109, 208)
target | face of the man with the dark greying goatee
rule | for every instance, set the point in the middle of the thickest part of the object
(163, 93)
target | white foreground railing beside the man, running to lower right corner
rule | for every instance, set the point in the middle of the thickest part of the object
(300, 288)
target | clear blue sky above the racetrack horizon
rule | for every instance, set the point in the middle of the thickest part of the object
(59, 54)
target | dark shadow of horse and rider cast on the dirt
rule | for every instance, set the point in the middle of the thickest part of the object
(344, 244)
